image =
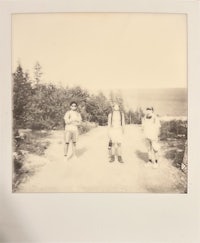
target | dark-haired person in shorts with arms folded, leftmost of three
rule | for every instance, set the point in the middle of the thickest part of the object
(72, 121)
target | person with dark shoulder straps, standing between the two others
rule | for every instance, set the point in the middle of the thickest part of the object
(116, 125)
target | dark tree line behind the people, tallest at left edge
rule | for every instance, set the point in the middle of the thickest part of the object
(38, 105)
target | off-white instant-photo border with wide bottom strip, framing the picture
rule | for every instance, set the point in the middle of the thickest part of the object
(99, 217)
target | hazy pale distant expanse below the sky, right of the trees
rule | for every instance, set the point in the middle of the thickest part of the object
(170, 102)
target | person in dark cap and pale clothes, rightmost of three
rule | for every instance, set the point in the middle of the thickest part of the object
(151, 128)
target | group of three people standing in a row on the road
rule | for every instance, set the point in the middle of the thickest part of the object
(116, 128)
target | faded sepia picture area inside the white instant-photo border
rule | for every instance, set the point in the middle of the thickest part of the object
(99, 102)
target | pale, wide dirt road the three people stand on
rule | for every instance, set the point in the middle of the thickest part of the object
(91, 171)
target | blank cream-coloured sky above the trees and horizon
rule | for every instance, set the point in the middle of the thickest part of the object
(103, 50)
